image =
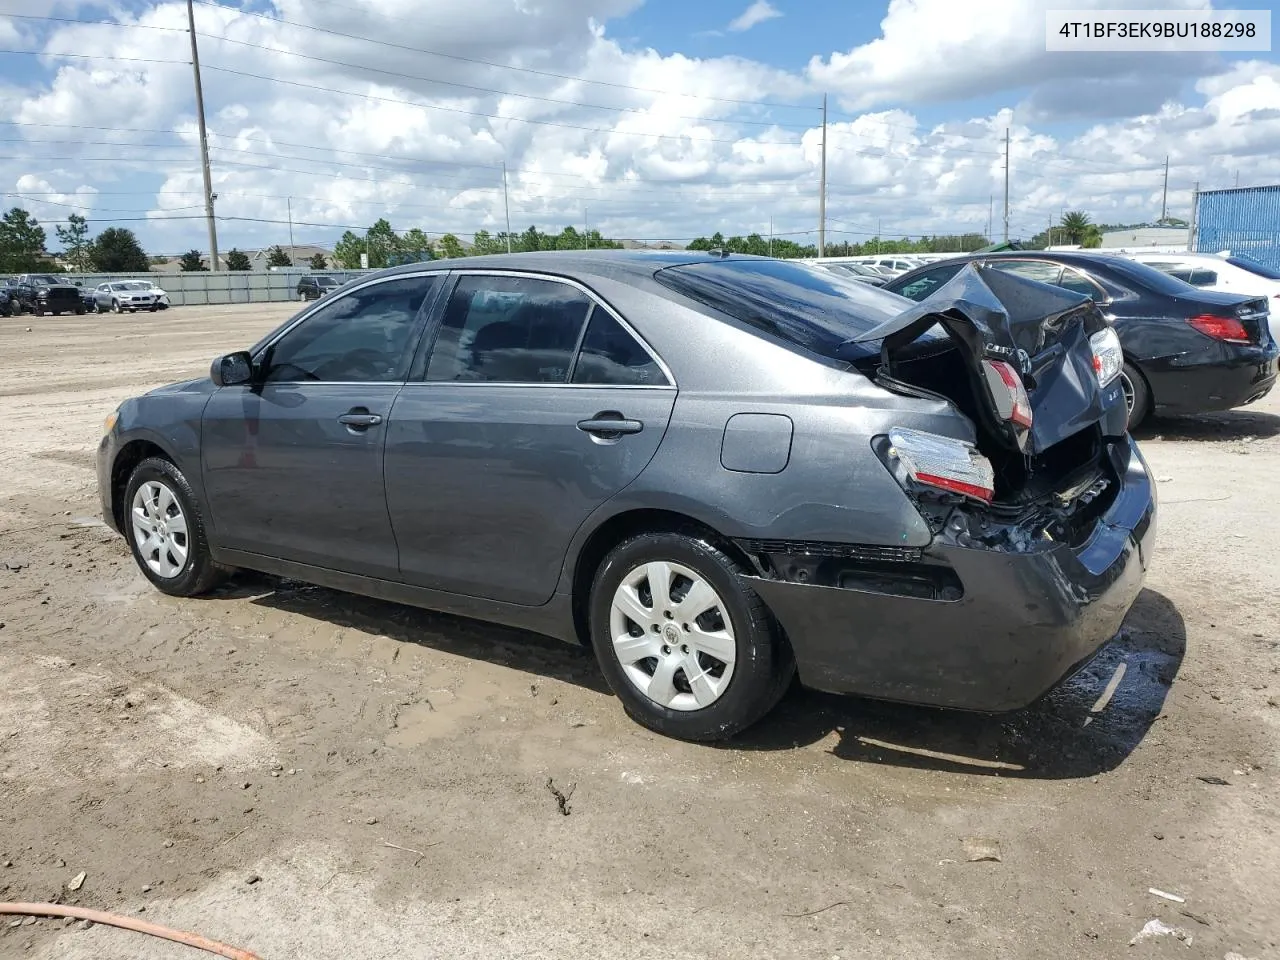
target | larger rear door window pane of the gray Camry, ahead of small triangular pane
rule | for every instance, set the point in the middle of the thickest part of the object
(509, 330)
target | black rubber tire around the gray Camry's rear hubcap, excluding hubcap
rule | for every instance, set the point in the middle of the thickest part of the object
(765, 665)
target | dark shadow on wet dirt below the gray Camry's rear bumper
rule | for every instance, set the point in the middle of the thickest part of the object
(1059, 738)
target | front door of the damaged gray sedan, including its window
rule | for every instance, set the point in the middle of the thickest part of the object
(294, 464)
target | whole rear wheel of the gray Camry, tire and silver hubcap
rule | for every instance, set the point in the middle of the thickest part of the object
(688, 647)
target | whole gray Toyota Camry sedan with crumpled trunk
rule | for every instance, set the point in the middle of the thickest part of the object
(719, 472)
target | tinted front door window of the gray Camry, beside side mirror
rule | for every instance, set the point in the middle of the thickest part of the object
(365, 337)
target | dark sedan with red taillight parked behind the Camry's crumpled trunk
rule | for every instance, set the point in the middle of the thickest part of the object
(1187, 350)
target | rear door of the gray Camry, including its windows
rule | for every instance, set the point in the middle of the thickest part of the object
(536, 405)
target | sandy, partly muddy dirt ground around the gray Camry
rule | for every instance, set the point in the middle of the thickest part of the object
(313, 775)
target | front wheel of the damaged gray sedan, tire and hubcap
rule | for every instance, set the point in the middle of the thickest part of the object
(167, 532)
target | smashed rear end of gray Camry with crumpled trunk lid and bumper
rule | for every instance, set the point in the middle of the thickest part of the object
(1039, 505)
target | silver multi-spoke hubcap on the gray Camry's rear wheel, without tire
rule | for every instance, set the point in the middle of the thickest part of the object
(673, 636)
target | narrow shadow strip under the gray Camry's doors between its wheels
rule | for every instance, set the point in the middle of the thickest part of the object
(473, 639)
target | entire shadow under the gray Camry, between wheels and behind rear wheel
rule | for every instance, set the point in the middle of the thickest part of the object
(1062, 737)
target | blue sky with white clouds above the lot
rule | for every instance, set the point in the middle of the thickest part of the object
(616, 112)
